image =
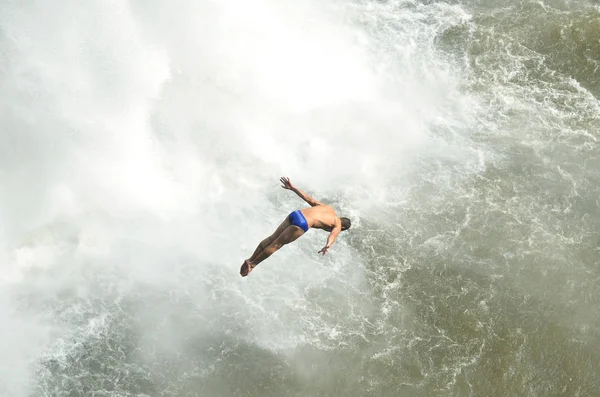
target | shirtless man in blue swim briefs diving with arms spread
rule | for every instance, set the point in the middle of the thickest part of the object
(319, 216)
